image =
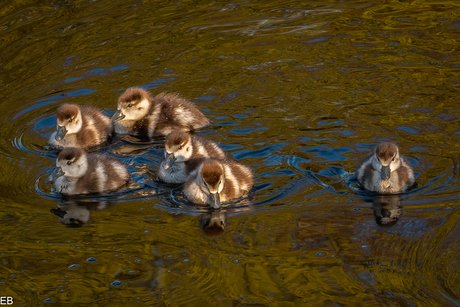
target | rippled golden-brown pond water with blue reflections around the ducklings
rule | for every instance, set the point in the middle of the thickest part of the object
(298, 91)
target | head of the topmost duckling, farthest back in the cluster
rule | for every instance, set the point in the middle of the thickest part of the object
(134, 104)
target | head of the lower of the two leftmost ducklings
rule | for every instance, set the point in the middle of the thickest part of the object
(71, 162)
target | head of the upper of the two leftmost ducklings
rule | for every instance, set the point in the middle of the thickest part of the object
(69, 120)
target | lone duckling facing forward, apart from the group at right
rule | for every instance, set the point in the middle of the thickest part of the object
(385, 171)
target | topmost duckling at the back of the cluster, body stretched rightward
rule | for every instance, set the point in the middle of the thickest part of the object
(141, 115)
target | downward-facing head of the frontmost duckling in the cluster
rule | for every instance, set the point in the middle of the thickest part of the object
(211, 181)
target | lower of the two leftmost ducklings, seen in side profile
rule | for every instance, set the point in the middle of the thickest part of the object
(77, 172)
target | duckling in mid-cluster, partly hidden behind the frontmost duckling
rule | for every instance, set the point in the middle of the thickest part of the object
(183, 153)
